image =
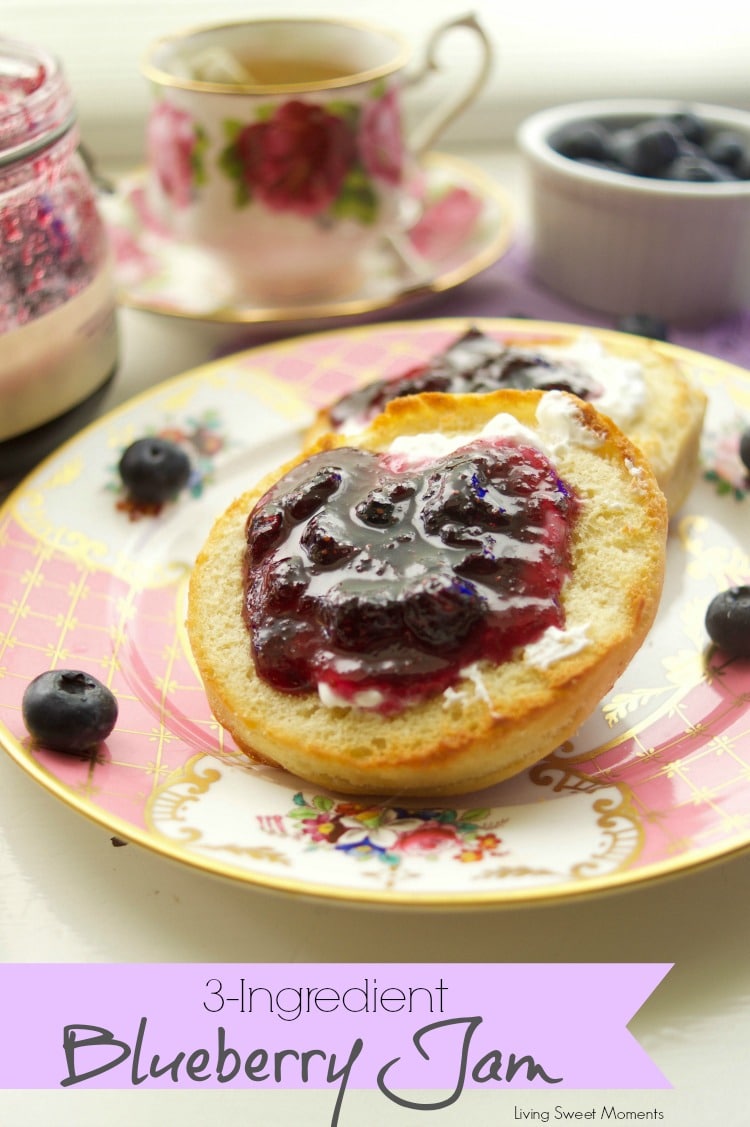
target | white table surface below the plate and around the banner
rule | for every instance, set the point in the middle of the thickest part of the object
(67, 895)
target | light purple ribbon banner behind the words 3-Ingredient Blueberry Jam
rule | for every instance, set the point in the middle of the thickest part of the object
(394, 1027)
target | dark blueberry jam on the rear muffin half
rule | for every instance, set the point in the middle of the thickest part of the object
(474, 365)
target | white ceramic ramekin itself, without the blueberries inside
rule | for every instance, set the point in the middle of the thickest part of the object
(622, 244)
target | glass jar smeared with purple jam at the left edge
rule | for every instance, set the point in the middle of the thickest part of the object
(58, 326)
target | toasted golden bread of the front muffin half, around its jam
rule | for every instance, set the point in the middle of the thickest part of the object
(498, 720)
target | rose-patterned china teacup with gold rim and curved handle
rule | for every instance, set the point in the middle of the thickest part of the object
(280, 146)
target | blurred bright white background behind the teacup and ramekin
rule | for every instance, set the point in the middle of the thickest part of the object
(548, 52)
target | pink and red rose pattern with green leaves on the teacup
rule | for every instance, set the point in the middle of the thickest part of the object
(307, 158)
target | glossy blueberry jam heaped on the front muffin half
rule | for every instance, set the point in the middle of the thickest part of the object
(377, 582)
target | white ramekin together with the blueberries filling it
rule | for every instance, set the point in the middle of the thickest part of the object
(654, 216)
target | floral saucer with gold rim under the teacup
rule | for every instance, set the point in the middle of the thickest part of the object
(464, 226)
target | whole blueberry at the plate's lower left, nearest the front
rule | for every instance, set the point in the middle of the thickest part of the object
(67, 711)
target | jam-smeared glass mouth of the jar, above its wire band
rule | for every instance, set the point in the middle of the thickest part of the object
(37, 104)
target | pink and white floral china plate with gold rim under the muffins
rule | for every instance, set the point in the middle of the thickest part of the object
(658, 782)
